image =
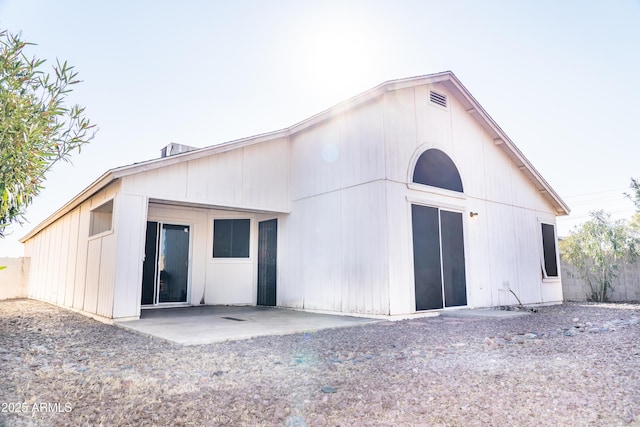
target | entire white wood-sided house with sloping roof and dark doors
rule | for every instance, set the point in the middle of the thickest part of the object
(407, 197)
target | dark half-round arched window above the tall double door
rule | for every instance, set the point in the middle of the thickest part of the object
(436, 169)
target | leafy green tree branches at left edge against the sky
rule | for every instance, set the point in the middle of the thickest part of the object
(37, 127)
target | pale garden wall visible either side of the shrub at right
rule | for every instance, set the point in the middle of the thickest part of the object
(626, 287)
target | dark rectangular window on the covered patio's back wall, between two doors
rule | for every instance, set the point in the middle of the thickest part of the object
(231, 238)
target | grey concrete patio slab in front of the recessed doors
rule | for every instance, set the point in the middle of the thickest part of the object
(210, 324)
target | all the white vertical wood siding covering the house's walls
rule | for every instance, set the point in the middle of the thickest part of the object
(347, 243)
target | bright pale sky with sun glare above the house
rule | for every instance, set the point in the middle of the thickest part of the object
(560, 78)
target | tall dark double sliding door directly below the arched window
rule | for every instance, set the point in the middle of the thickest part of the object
(438, 258)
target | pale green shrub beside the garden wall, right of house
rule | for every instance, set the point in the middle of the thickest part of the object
(596, 249)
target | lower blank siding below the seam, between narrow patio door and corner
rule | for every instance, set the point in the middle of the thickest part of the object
(333, 257)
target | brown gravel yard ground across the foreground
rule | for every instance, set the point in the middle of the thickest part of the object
(568, 365)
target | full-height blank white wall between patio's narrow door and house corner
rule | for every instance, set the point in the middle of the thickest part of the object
(333, 257)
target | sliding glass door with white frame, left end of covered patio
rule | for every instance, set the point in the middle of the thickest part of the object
(165, 273)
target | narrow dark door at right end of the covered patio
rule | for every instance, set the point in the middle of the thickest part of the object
(267, 248)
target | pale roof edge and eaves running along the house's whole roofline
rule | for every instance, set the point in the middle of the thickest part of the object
(446, 78)
